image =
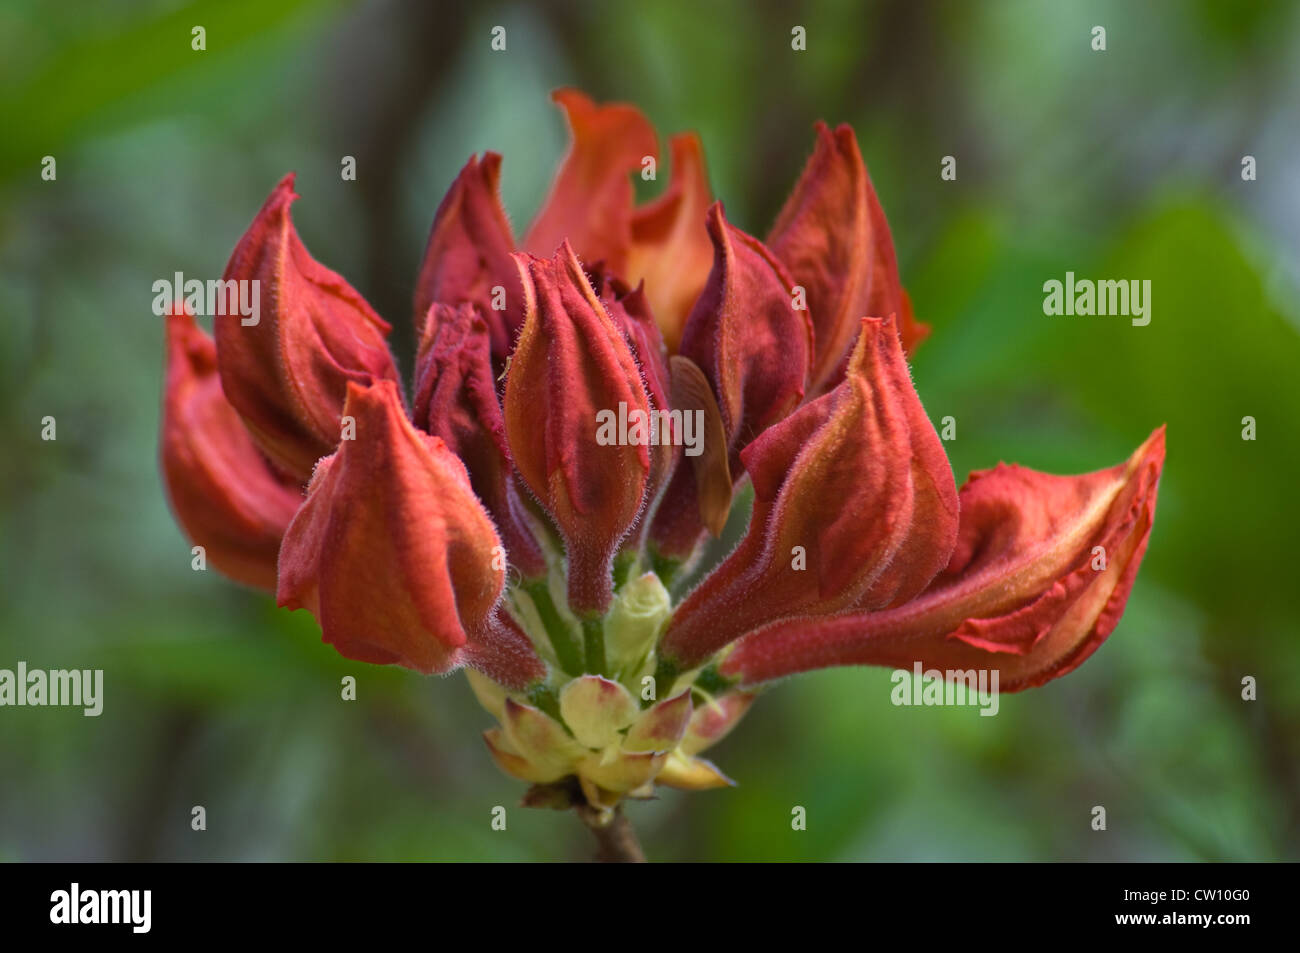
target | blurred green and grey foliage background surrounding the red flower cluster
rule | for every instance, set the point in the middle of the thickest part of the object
(1121, 164)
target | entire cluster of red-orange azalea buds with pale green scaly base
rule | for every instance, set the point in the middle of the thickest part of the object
(479, 523)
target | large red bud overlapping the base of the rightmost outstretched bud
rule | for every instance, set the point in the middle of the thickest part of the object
(853, 505)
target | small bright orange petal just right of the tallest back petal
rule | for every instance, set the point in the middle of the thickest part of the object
(670, 245)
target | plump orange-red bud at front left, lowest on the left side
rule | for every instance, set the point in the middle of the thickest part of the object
(395, 556)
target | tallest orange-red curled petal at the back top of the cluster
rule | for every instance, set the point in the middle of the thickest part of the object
(591, 203)
